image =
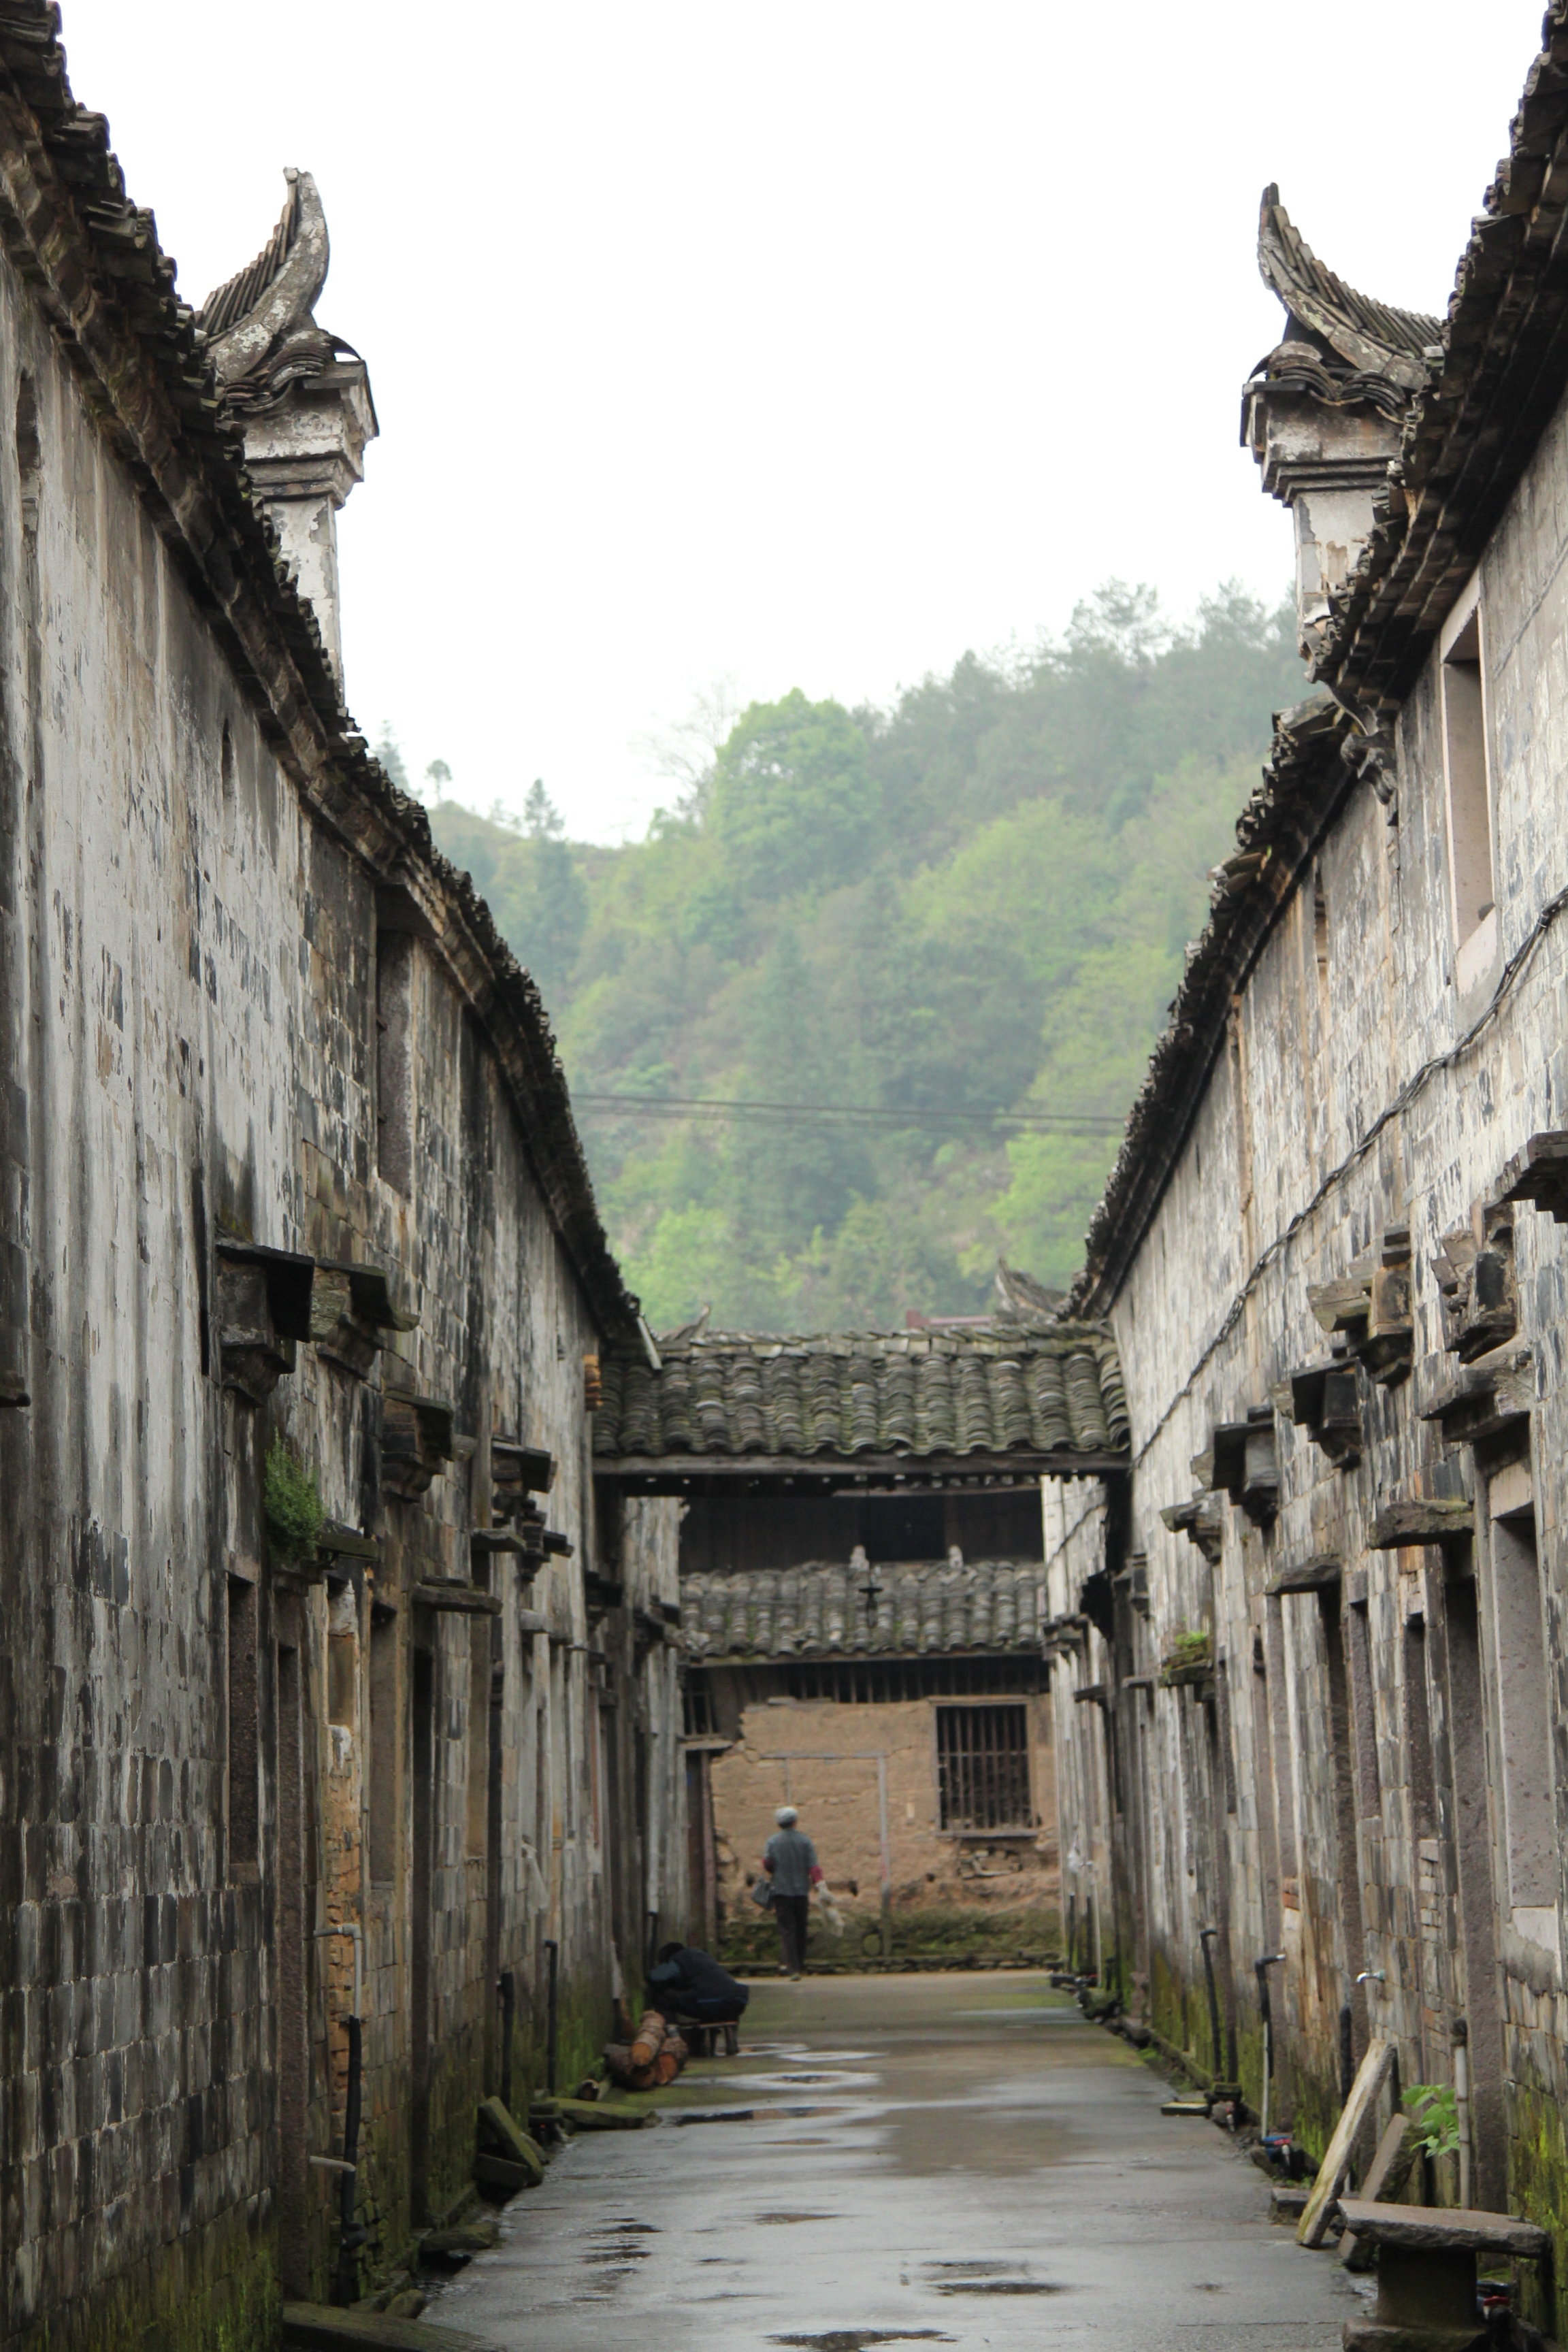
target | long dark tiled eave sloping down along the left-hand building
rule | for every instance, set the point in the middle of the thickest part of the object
(100, 274)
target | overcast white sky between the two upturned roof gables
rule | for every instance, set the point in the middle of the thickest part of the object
(803, 347)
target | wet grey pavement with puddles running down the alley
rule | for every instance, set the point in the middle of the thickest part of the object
(927, 2160)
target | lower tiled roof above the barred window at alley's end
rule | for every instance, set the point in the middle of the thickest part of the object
(847, 1610)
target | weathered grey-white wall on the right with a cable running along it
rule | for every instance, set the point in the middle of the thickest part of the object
(1339, 1784)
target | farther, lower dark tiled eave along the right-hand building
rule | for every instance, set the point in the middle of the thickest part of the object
(1304, 787)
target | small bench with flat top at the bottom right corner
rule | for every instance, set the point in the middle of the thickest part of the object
(1428, 2273)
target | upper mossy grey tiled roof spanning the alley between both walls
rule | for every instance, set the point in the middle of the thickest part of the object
(918, 1394)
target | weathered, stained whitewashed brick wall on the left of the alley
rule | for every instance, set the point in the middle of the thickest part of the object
(194, 975)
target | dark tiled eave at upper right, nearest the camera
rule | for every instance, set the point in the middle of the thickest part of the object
(1475, 425)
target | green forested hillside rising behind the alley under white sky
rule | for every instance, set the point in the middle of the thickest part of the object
(944, 937)
